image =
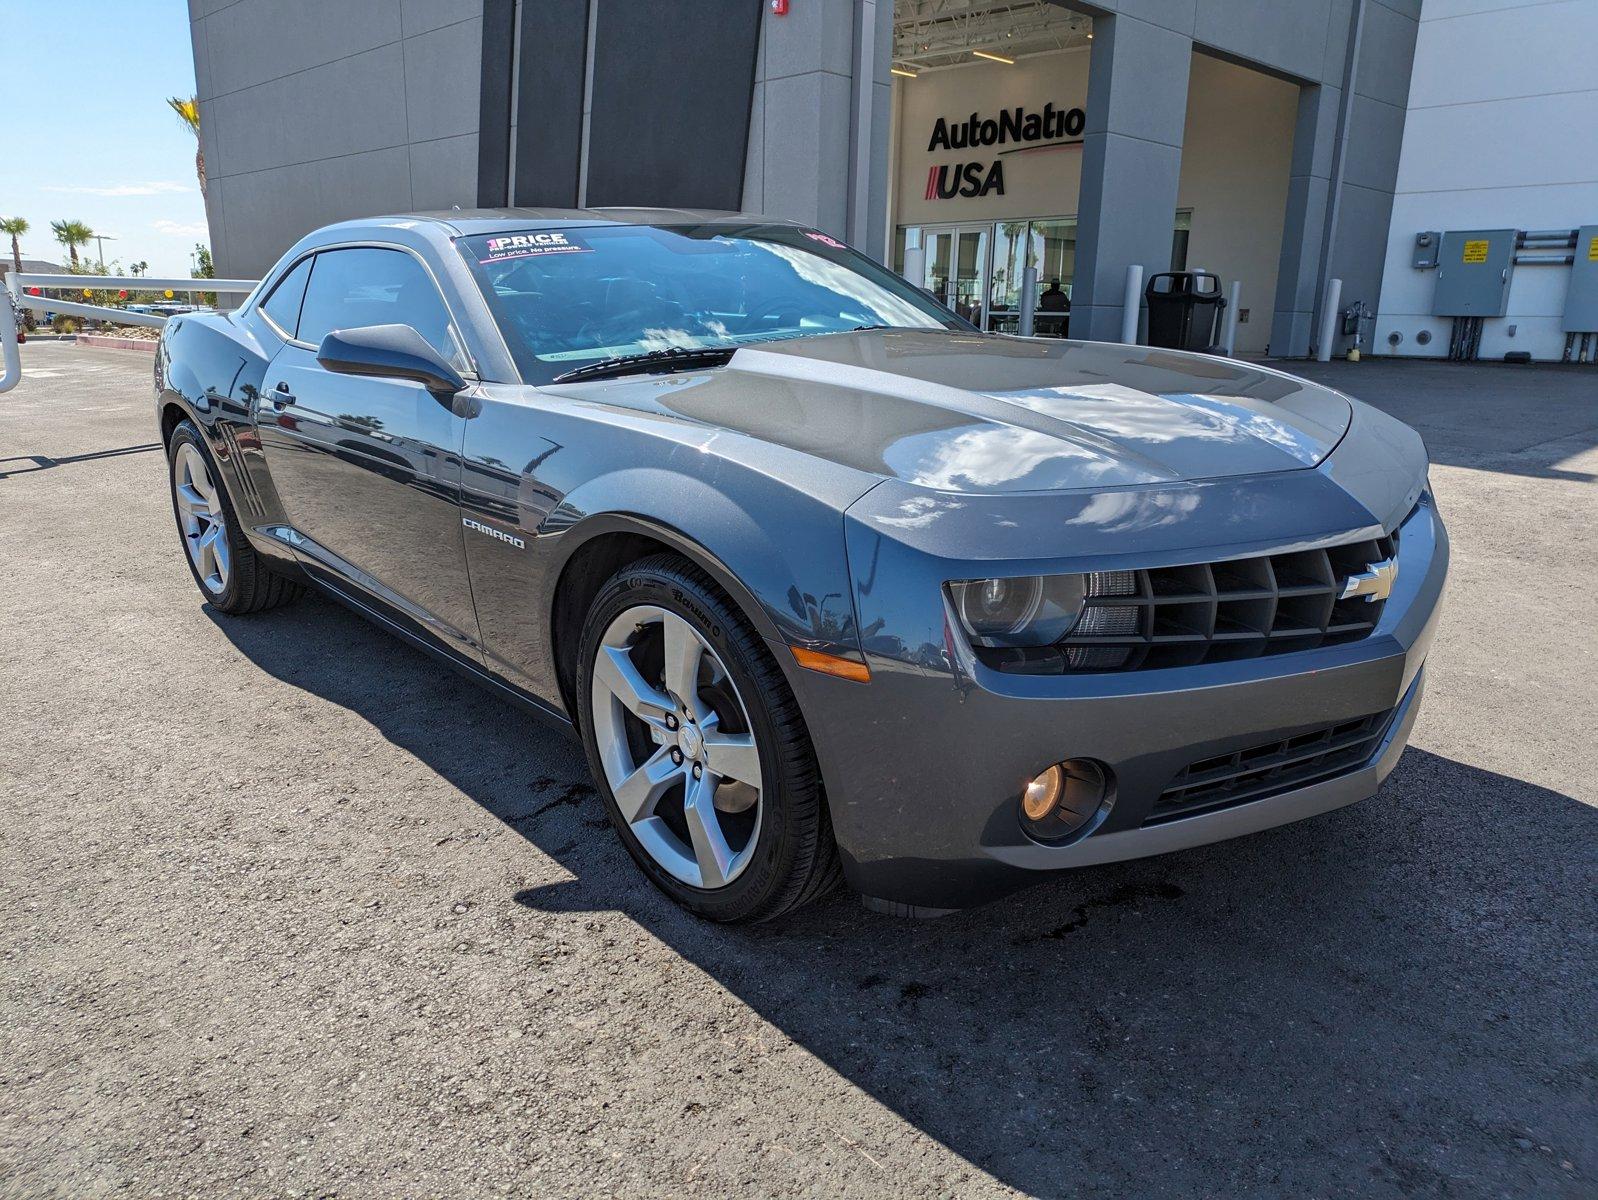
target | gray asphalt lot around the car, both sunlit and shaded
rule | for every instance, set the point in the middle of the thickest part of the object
(292, 912)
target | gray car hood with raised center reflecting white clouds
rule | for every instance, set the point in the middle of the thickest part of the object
(988, 415)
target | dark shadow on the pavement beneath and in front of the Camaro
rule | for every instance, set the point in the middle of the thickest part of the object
(1397, 998)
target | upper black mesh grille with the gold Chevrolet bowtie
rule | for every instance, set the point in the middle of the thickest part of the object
(1140, 621)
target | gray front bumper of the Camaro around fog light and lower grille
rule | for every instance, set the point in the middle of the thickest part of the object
(924, 766)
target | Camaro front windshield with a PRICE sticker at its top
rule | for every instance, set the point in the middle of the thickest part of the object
(573, 296)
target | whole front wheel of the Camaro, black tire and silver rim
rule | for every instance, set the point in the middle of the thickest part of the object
(699, 747)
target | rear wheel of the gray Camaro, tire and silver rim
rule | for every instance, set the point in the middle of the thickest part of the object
(229, 571)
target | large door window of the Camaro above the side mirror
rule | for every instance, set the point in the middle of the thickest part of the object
(365, 285)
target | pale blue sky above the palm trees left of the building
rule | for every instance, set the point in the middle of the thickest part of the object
(79, 143)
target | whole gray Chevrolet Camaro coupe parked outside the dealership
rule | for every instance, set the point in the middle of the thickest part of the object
(829, 582)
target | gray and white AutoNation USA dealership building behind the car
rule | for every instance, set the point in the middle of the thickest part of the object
(963, 141)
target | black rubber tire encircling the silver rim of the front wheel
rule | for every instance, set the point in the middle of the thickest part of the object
(795, 857)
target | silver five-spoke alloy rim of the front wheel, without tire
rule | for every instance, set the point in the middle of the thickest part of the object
(677, 747)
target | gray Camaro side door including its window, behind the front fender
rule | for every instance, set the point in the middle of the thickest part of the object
(368, 469)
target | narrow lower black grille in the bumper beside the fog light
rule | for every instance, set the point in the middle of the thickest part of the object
(1271, 769)
